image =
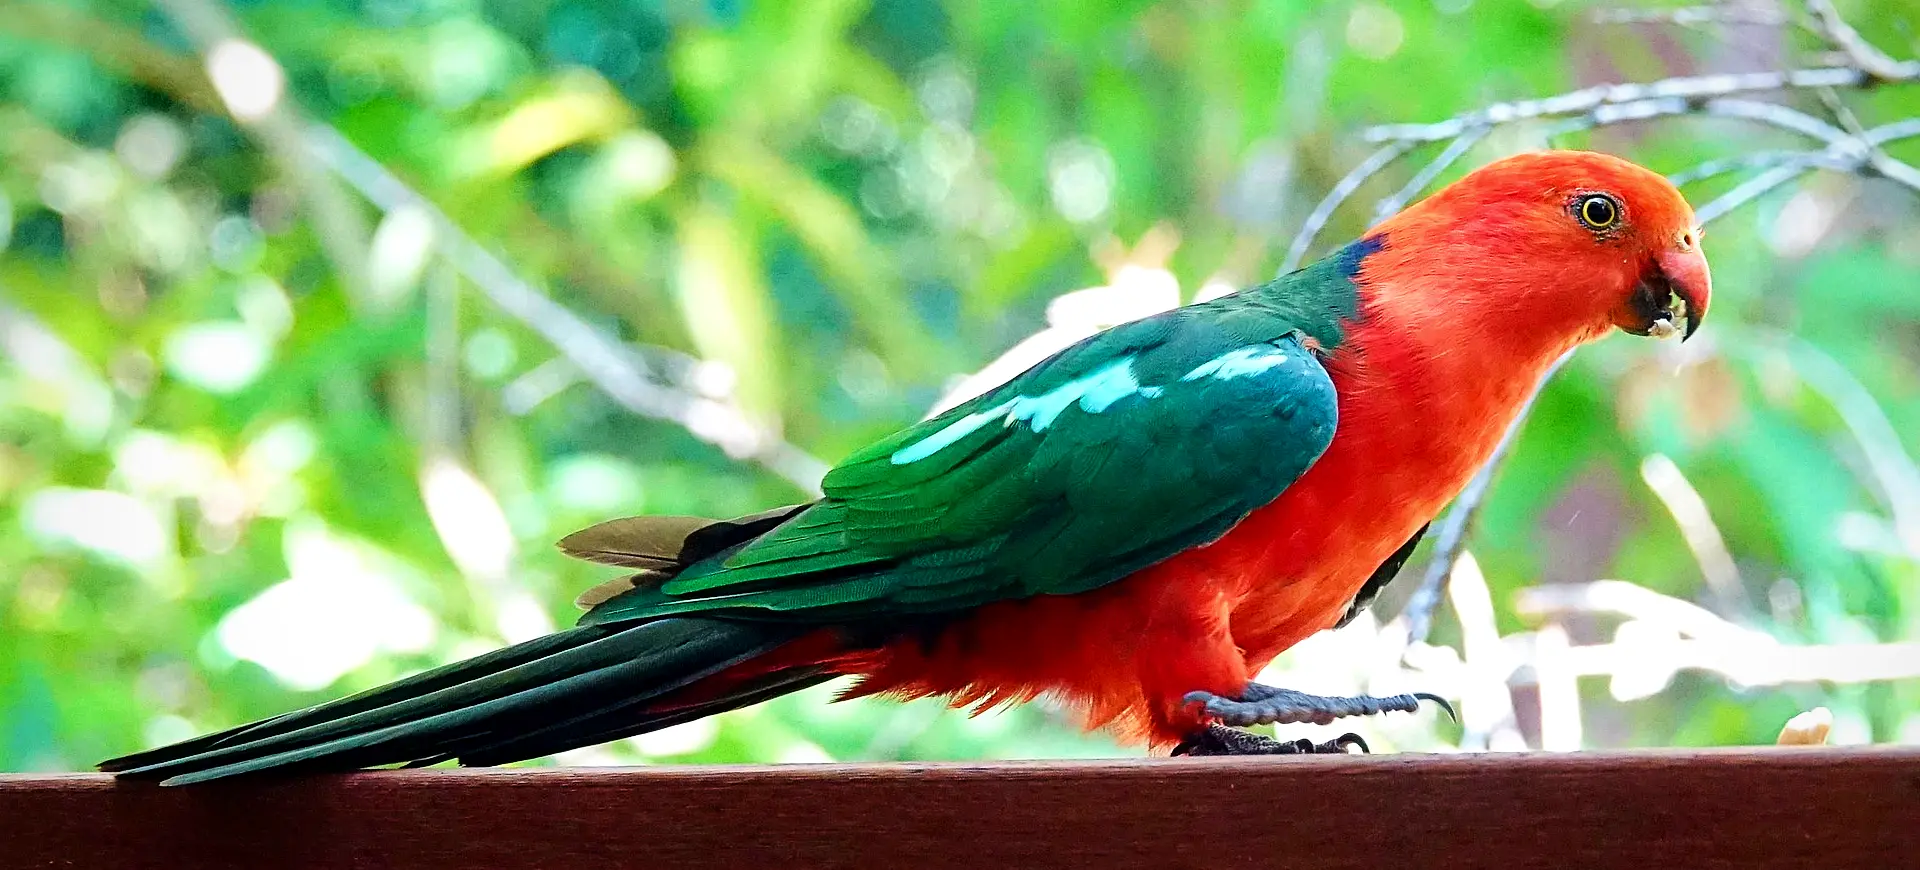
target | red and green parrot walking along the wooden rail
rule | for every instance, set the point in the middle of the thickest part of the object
(1130, 529)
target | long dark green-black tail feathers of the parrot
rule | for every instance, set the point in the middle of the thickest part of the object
(567, 690)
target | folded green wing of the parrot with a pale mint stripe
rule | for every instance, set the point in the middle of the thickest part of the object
(1107, 458)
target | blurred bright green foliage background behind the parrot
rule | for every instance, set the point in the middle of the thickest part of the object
(306, 372)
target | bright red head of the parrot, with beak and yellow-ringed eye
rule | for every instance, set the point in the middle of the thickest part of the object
(1575, 241)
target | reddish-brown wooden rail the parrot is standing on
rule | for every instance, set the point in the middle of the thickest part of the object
(1698, 810)
